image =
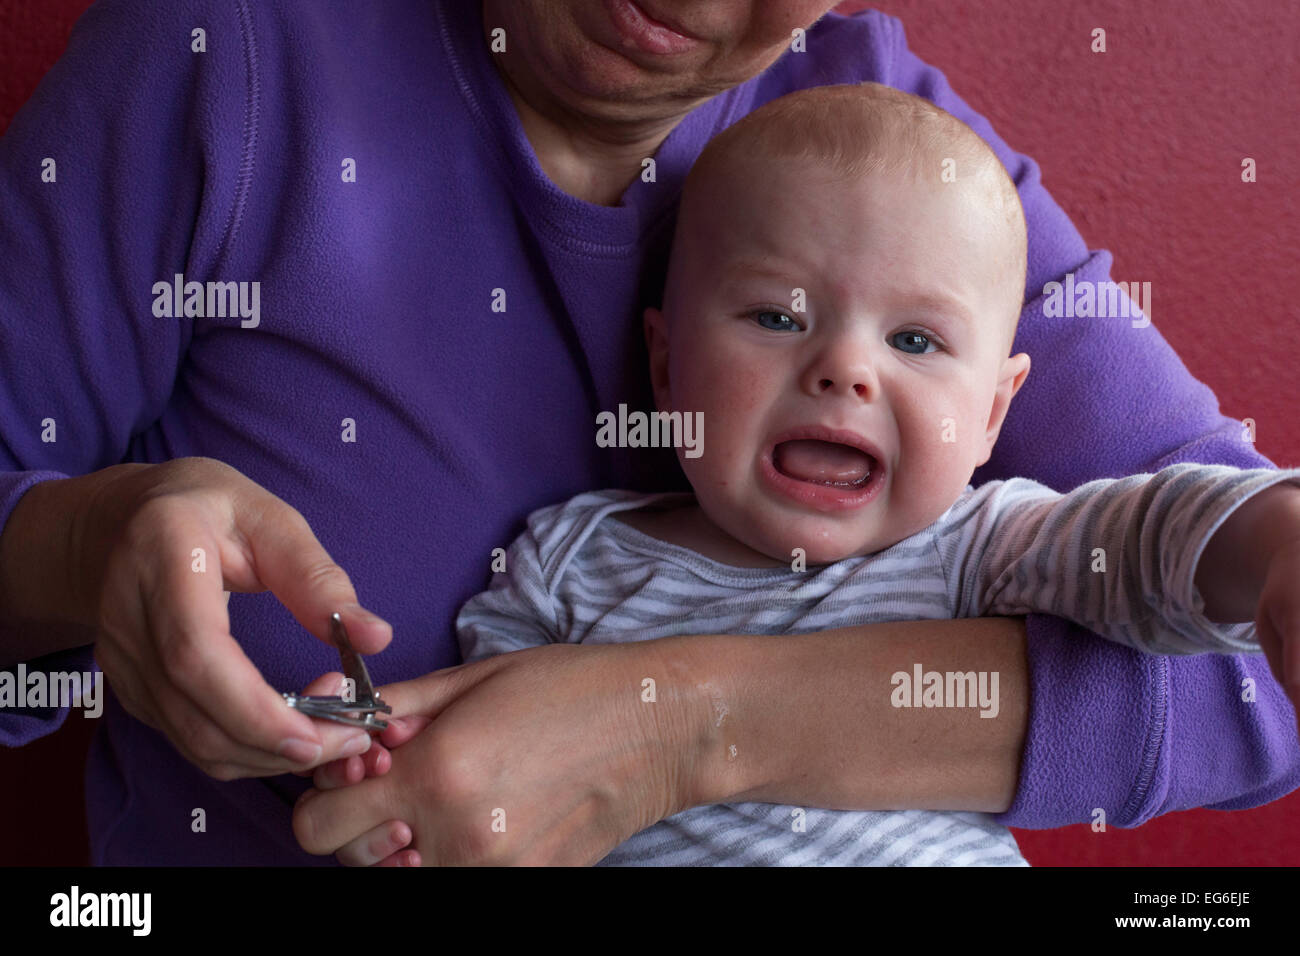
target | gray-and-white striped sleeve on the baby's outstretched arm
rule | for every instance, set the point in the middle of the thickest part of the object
(1115, 556)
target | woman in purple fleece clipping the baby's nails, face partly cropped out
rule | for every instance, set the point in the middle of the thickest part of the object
(453, 218)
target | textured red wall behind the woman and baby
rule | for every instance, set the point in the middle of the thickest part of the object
(1143, 148)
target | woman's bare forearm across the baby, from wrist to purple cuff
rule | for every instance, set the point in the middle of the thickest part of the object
(811, 720)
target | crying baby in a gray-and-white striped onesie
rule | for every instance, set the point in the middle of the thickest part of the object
(843, 296)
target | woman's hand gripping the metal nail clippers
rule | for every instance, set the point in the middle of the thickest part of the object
(163, 630)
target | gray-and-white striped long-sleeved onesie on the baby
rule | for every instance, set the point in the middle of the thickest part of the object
(1006, 548)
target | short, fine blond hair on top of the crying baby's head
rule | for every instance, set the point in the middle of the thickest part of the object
(869, 129)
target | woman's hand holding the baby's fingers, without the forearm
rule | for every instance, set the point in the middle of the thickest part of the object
(543, 756)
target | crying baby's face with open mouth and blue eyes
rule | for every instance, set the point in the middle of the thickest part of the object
(804, 315)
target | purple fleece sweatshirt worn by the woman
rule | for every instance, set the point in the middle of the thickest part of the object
(378, 306)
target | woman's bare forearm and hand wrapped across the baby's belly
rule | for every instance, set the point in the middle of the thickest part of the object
(557, 754)
